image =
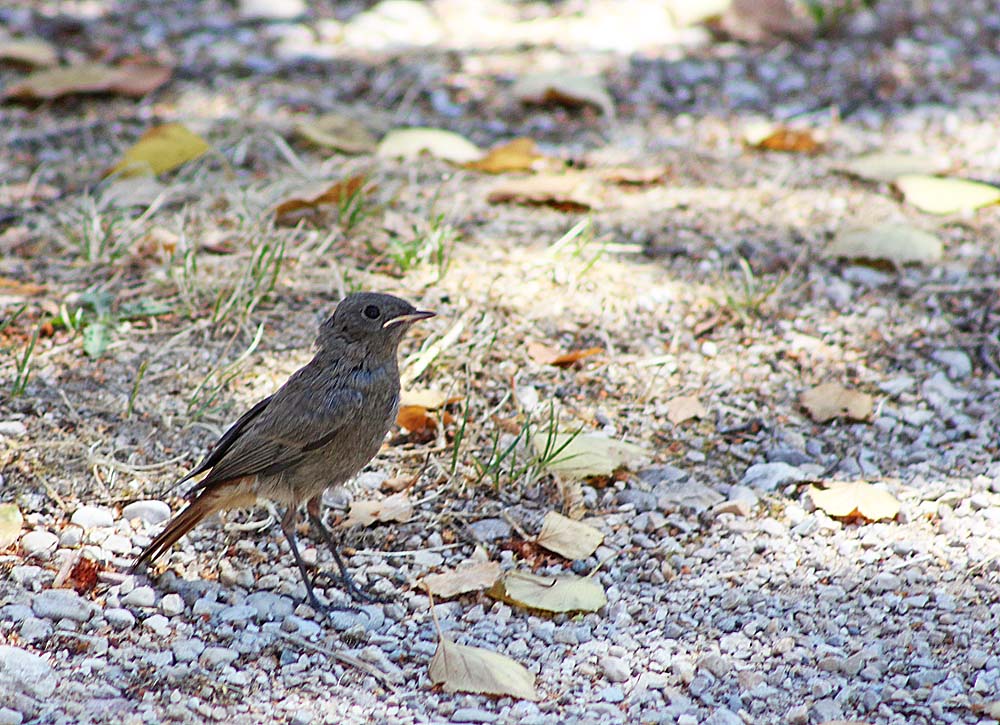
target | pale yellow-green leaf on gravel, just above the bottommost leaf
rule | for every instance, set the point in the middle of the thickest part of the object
(565, 593)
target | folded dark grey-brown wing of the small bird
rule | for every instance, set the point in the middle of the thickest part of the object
(281, 434)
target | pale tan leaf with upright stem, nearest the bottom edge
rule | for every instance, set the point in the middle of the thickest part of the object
(460, 668)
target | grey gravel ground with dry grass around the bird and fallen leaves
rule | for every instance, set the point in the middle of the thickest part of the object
(730, 598)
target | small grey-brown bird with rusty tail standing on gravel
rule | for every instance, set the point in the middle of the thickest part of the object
(318, 430)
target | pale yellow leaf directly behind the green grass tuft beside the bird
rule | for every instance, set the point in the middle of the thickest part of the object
(586, 454)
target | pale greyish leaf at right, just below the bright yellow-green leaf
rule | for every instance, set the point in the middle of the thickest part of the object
(898, 244)
